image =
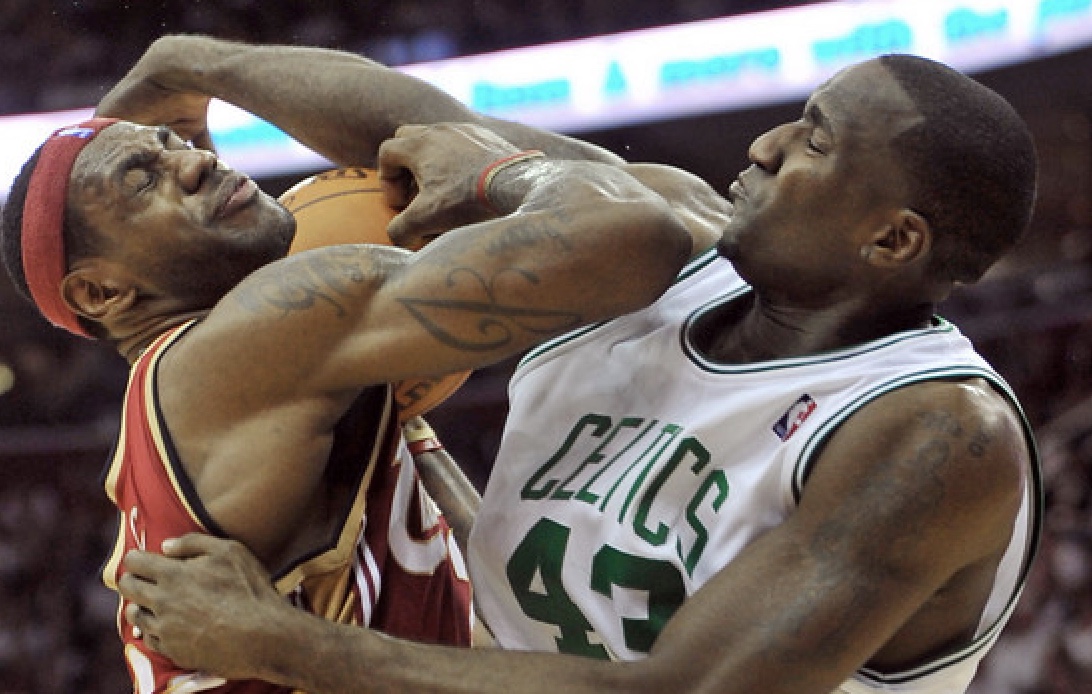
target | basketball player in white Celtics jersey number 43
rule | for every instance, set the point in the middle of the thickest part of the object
(787, 475)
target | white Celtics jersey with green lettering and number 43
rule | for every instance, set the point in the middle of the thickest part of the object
(633, 471)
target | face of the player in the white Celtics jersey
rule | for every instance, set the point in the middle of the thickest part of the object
(820, 187)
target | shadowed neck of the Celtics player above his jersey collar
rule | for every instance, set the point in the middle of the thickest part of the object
(751, 330)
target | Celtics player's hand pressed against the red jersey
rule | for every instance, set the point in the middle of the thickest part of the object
(205, 604)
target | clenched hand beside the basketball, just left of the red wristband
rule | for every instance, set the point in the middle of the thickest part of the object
(431, 173)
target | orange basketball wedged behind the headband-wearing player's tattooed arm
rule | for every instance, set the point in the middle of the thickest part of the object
(348, 207)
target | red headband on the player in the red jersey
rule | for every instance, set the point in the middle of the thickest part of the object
(44, 219)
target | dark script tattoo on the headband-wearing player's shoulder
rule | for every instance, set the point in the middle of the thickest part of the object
(324, 278)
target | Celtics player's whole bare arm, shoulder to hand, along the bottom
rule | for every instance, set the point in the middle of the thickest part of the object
(901, 522)
